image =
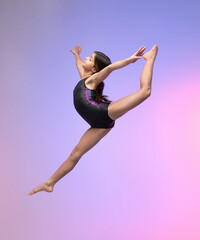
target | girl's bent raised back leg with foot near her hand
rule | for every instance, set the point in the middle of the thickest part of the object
(120, 107)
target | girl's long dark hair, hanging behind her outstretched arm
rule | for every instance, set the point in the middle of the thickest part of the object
(101, 61)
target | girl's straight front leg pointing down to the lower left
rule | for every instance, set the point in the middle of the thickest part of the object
(89, 139)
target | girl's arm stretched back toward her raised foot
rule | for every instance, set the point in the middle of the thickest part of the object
(100, 76)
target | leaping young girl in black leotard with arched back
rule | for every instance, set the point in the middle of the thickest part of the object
(95, 108)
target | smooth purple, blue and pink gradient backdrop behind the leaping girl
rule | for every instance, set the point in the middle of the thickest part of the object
(139, 182)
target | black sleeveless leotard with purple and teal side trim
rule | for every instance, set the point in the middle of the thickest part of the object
(96, 114)
